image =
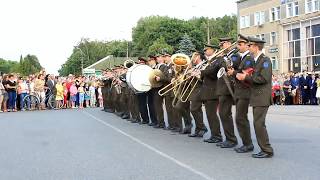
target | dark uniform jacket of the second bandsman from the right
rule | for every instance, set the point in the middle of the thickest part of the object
(242, 89)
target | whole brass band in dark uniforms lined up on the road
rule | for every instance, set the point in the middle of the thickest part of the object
(219, 77)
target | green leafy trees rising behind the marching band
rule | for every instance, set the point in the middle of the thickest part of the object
(152, 35)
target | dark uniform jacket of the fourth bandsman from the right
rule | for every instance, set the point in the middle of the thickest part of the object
(209, 84)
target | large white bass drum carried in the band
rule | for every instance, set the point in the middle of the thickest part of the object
(137, 77)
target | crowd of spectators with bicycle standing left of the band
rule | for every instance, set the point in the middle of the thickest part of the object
(68, 92)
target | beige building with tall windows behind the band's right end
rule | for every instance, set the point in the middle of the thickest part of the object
(291, 29)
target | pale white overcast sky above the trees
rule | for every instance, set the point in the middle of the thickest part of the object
(50, 29)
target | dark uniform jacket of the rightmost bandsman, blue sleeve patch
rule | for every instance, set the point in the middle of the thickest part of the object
(261, 82)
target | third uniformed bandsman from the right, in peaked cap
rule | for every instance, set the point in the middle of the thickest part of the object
(226, 100)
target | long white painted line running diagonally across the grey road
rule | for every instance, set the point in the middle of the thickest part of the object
(205, 176)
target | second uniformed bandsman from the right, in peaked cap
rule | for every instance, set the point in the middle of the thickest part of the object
(242, 94)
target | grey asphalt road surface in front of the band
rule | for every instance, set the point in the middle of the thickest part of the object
(91, 144)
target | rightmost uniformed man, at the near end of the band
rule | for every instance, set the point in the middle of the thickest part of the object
(260, 98)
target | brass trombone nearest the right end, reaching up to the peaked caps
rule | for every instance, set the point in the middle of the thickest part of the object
(186, 93)
